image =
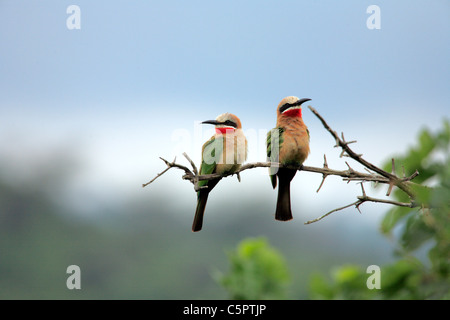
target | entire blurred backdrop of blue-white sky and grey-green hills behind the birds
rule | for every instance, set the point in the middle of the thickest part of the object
(86, 114)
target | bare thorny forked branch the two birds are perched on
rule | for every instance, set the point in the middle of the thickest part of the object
(375, 174)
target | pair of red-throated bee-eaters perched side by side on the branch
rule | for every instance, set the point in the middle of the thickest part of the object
(287, 144)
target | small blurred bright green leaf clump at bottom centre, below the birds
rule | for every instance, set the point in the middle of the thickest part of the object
(257, 271)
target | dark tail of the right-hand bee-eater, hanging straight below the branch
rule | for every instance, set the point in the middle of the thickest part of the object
(283, 211)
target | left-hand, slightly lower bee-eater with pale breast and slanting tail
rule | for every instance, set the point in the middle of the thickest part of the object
(223, 153)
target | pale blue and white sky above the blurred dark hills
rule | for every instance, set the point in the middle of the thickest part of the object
(135, 81)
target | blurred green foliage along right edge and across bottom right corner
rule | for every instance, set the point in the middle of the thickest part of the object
(425, 228)
